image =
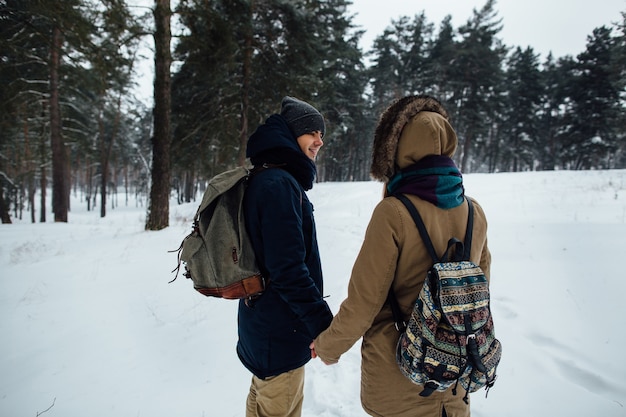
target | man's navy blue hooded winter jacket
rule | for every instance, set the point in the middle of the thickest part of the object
(275, 330)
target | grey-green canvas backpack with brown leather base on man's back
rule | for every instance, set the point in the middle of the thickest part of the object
(217, 254)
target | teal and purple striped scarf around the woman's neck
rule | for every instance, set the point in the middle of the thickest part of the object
(434, 178)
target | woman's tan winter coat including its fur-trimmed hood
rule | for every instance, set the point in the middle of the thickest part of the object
(393, 254)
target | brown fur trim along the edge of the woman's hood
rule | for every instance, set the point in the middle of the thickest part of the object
(389, 129)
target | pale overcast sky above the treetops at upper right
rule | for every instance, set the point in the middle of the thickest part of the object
(560, 26)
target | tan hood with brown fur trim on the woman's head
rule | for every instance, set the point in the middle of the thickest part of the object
(408, 130)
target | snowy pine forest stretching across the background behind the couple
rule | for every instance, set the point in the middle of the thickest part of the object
(69, 121)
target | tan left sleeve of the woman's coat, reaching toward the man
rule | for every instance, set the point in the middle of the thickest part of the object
(372, 275)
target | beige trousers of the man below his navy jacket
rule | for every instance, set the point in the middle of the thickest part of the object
(277, 396)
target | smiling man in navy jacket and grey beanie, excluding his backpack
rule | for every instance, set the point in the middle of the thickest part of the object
(275, 329)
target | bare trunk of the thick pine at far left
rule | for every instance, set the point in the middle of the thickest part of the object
(60, 195)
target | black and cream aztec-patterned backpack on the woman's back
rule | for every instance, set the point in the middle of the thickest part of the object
(450, 336)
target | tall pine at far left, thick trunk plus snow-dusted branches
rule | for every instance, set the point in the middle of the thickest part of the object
(45, 43)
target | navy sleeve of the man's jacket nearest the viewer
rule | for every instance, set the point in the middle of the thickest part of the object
(280, 211)
